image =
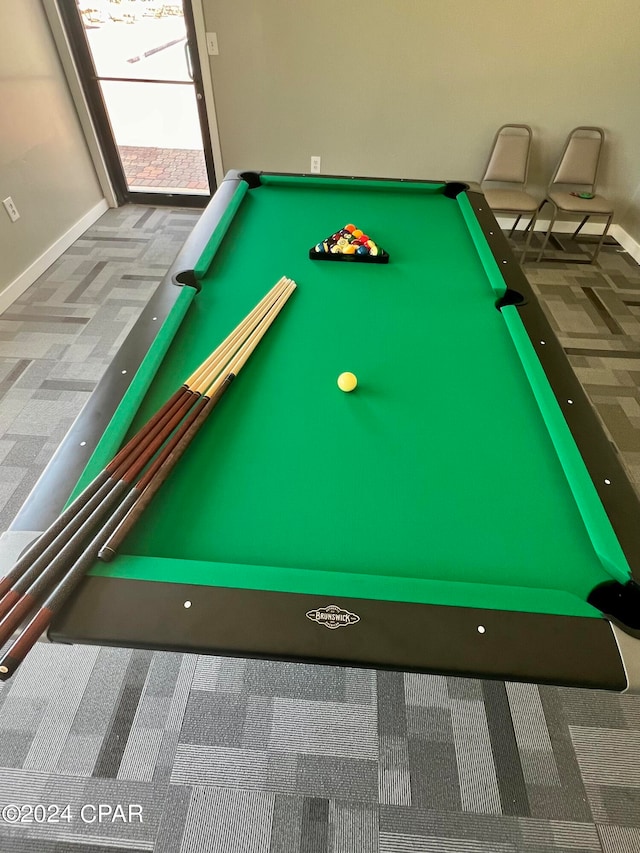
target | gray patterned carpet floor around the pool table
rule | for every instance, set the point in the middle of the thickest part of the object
(104, 750)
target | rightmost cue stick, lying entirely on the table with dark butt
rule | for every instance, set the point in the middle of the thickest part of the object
(161, 467)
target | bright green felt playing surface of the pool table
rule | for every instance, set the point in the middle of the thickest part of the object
(436, 480)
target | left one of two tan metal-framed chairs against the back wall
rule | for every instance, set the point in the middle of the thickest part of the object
(509, 164)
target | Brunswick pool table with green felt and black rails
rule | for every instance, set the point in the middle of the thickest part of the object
(461, 512)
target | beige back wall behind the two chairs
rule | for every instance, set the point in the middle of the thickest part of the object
(417, 88)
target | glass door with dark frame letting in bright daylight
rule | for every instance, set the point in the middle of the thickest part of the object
(140, 70)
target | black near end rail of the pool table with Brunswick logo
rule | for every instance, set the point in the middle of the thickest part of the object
(389, 634)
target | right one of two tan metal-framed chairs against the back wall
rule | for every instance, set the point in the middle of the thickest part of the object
(572, 189)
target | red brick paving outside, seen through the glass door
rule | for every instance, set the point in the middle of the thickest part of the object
(160, 168)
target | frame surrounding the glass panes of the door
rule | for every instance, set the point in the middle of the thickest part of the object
(100, 141)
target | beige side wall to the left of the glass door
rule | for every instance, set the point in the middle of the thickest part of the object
(44, 162)
